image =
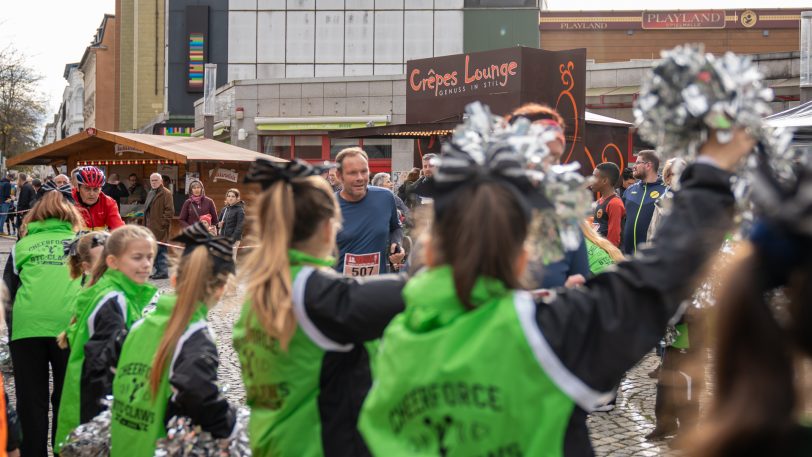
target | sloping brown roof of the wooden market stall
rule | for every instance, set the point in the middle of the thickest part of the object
(179, 149)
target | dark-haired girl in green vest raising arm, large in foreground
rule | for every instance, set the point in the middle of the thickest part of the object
(475, 366)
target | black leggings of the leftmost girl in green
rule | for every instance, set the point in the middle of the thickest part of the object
(31, 358)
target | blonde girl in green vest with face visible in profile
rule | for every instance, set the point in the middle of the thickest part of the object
(116, 298)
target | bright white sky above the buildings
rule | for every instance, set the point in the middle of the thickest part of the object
(52, 33)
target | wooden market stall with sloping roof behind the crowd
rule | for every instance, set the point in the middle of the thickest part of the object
(219, 166)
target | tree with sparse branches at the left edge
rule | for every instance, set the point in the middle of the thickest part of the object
(22, 106)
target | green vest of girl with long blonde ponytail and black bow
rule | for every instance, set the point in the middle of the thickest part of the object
(282, 387)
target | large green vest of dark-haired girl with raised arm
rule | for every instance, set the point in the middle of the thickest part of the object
(451, 382)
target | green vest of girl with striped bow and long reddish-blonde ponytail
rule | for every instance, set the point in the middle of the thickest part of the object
(139, 419)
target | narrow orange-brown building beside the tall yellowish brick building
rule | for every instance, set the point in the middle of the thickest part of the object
(98, 67)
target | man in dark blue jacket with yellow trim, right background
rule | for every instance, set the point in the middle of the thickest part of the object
(639, 199)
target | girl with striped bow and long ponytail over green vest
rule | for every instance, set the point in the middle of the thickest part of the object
(168, 364)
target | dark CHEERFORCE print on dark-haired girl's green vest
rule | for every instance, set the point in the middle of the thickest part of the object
(441, 430)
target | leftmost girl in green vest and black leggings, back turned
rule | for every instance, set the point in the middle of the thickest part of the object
(40, 312)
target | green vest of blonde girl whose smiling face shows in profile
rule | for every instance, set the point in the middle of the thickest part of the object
(114, 284)
